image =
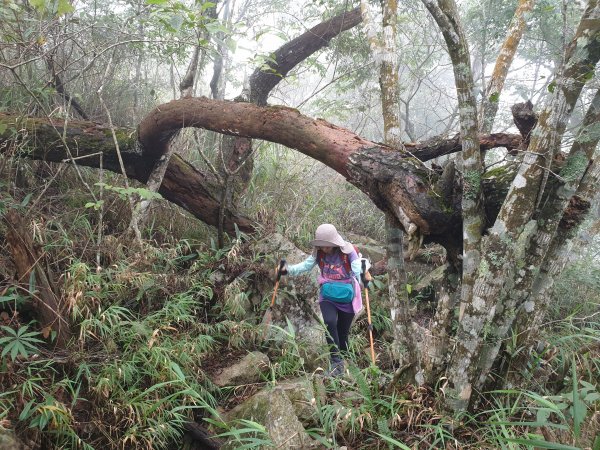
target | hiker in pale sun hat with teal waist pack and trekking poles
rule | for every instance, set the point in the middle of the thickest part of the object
(339, 294)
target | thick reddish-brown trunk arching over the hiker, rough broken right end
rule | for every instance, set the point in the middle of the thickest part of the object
(394, 181)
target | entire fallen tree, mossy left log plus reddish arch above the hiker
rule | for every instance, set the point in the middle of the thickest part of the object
(383, 173)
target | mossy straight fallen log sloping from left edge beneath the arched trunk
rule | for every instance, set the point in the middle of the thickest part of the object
(84, 142)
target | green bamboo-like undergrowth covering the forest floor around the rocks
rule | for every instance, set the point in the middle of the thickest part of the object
(150, 325)
